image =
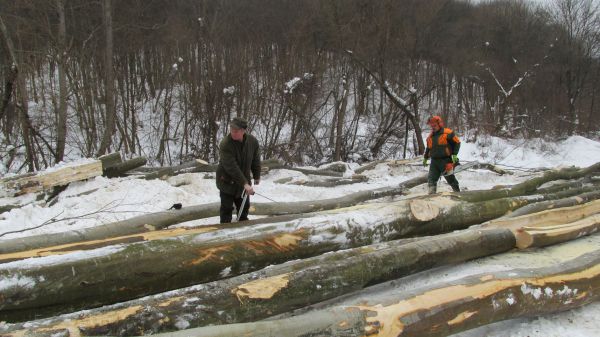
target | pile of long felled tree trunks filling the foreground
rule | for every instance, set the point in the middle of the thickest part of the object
(223, 266)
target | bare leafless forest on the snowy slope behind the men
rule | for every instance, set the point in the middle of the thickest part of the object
(318, 80)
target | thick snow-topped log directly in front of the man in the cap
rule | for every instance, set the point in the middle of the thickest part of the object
(113, 274)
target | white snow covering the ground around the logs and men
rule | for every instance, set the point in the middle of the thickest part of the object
(101, 200)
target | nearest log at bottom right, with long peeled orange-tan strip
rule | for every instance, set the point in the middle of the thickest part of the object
(441, 310)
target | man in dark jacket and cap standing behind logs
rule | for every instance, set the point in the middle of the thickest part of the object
(239, 154)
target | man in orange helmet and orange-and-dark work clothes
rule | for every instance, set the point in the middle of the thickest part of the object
(442, 148)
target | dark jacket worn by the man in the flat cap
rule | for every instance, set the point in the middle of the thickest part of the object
(236, 161)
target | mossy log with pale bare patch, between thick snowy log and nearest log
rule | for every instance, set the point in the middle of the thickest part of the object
(280, 288)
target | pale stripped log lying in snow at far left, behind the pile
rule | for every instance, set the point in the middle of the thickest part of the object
(45, 180)
